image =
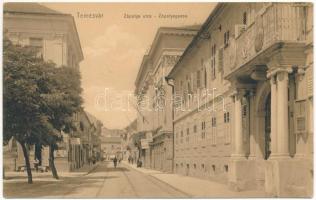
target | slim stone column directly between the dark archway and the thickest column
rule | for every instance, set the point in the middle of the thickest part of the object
(274, 116)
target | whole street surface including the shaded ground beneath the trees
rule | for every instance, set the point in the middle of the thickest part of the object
(104, 181)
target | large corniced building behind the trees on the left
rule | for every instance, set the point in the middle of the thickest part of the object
(54, 34)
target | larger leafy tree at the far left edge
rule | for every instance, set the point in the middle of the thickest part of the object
(23, 118)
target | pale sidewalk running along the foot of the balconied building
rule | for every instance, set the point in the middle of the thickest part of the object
(195, 187)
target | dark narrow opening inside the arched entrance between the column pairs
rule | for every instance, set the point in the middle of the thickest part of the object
(267, 136)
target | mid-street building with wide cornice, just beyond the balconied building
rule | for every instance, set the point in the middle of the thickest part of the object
(154, 95)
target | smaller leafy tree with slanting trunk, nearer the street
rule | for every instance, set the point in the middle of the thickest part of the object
(62, 101)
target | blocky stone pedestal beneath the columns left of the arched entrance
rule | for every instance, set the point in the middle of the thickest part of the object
(241, 174)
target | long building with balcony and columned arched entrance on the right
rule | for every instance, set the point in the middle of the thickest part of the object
(243, 99)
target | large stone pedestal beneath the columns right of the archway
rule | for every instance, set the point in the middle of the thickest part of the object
(288, 177)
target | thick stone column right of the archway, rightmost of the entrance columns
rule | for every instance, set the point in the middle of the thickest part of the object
(282, 112)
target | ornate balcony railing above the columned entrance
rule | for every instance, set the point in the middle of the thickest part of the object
(277, 22)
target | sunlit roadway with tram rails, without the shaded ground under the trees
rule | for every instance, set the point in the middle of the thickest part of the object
(122, 181)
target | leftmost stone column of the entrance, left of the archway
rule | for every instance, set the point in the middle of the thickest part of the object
(239, 150)
